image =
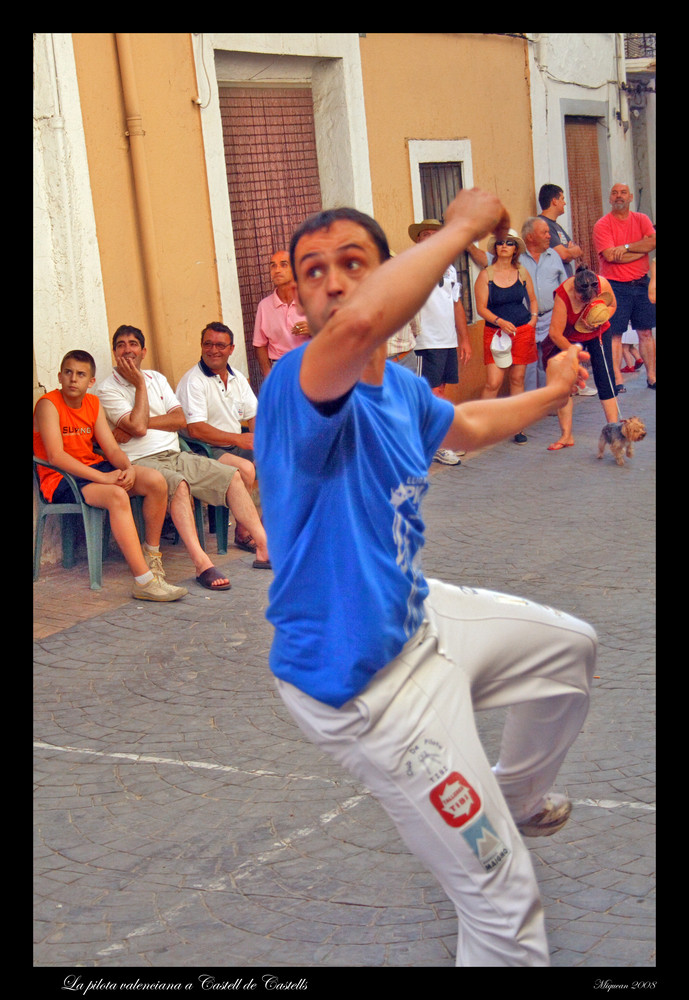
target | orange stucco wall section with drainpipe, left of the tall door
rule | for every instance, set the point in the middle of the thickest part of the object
(184, 267)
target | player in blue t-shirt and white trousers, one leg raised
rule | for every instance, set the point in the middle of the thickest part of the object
(378, 665)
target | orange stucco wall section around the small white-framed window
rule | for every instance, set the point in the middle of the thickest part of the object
(448, 86)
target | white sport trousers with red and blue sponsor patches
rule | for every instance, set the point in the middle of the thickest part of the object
(410, 737)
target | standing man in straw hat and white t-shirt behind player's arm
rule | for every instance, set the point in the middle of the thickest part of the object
(443, 325)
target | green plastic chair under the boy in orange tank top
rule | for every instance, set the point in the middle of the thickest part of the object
(96, 526)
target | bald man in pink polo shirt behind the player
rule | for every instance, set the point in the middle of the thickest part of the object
(280, 324)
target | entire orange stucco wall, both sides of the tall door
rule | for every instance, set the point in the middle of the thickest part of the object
(416, 86)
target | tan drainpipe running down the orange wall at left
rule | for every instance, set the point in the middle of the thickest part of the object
(142, 192)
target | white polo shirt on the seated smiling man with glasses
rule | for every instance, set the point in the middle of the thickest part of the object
(205, 398)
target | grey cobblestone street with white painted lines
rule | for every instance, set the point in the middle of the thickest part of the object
(183, 822)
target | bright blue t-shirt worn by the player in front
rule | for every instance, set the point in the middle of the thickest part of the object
(341, 498)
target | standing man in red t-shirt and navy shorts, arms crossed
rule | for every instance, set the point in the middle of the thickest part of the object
(623, 241)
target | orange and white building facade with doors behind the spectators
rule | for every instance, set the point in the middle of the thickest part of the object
(168, 167)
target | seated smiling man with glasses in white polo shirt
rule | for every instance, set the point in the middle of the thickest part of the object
(216, 399)
